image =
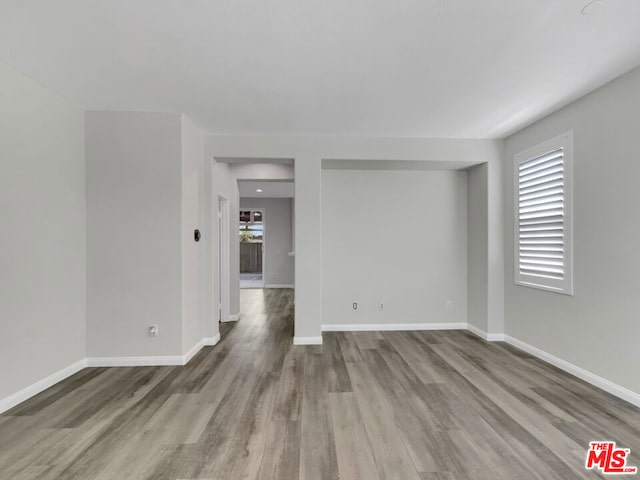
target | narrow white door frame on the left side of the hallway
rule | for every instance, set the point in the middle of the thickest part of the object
(224, 255)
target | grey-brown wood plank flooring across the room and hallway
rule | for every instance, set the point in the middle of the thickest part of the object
(395, 405)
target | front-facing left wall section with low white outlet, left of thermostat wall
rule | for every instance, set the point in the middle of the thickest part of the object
(134, 233)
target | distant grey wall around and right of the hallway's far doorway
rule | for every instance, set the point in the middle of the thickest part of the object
(278, 265)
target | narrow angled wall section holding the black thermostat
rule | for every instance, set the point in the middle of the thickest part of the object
(193, 328)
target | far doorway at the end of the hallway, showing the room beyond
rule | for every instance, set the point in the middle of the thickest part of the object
(252, 238)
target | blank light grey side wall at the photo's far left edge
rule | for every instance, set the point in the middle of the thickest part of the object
(43, 240)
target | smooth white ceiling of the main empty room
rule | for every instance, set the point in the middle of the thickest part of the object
(432, 68)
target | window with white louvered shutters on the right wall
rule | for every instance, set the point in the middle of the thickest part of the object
(543, 220)
